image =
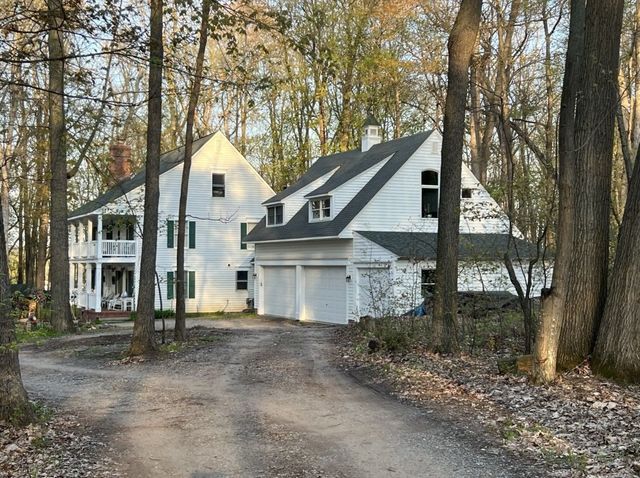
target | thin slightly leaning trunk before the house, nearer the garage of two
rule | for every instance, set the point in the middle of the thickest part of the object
(180, 328)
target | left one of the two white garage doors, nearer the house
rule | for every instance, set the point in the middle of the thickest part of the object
(280, 291)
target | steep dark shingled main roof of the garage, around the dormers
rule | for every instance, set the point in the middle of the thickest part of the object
(350, 163)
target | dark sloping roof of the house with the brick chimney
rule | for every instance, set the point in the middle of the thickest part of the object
(168, 161)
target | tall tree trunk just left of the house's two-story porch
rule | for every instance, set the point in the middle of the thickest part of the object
(61, 318)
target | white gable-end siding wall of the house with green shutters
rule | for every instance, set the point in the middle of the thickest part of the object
(217, 255)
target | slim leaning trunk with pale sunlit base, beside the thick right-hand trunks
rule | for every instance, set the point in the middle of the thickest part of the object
(550, 324)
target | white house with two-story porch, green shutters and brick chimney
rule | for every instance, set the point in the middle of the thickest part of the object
(225, 193)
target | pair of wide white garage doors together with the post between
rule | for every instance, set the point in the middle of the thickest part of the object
(313, 293)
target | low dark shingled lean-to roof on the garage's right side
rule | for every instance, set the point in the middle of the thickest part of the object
(423, 245)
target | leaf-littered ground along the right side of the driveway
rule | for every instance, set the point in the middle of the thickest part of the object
(581, 426)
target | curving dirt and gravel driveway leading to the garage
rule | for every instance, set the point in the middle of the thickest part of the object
(261, 399)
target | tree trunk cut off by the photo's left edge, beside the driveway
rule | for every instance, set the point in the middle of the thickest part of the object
(14, 403)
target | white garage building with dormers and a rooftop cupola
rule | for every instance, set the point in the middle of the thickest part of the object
(356, 235)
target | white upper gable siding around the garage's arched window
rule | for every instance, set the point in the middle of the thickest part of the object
(397, 206)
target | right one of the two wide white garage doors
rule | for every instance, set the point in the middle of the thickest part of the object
(325, 294)
